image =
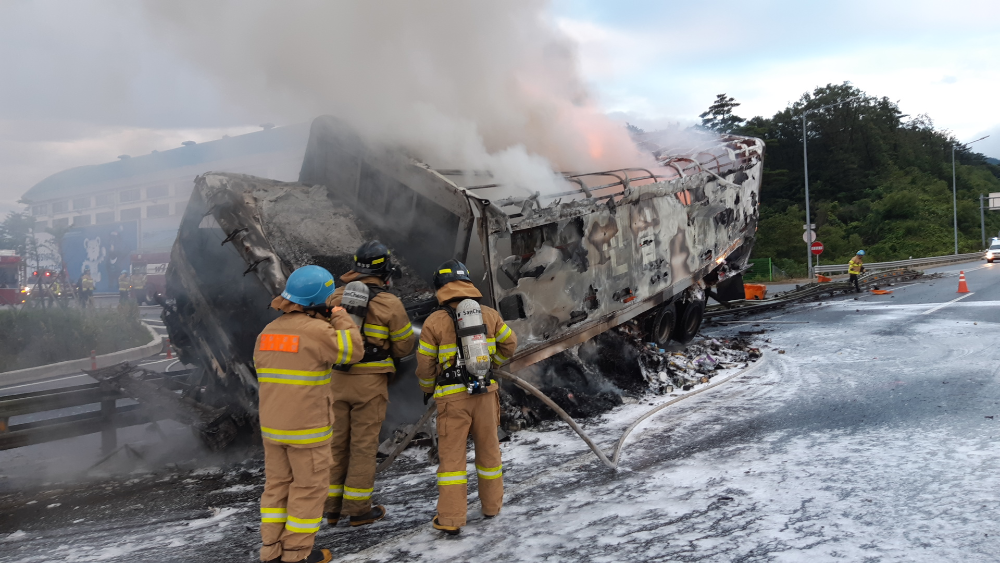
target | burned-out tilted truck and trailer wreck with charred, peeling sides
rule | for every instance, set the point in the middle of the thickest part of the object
(639, 244)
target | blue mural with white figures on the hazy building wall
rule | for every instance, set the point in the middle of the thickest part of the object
(103, 249)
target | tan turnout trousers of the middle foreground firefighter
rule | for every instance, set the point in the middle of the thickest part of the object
(359, 402)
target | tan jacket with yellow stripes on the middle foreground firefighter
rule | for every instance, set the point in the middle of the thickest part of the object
(386, 325)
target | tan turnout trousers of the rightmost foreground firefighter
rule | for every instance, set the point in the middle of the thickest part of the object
(478, 415)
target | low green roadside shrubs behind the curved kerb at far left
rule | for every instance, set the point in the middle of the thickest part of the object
(35, 337)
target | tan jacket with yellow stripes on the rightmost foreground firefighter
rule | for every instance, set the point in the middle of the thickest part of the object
(438, 344)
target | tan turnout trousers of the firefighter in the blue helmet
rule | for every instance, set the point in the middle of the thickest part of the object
(291, 508)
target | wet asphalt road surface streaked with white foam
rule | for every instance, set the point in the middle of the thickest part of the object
(868, 434)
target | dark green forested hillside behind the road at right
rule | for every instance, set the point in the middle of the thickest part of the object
(878, 180)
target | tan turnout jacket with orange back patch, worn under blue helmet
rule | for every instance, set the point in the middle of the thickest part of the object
(293, 357)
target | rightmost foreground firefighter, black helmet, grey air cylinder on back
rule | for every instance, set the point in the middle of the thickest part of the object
(459, 344)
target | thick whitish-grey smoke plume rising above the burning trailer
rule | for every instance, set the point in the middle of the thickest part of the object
(460, 83)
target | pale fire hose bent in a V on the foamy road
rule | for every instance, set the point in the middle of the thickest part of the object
(611, 463)
